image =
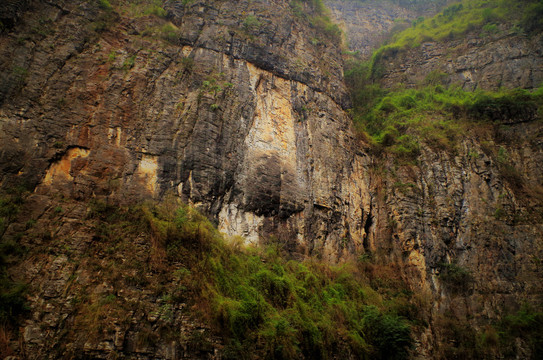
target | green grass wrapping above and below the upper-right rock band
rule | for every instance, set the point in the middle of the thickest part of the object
(398, 120)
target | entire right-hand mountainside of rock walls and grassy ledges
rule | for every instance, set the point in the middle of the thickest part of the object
(459, 172)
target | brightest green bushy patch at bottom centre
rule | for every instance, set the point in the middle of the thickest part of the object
(286, 309)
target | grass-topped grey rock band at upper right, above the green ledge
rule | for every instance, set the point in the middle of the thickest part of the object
(473, 44)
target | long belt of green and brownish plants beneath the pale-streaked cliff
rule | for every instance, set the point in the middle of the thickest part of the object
(264, 304)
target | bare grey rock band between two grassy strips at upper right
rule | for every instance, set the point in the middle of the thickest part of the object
(477, 61)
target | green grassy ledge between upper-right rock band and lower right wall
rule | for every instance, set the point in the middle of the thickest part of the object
(398, 120)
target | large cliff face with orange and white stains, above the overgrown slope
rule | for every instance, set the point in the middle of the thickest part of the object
(241, 115)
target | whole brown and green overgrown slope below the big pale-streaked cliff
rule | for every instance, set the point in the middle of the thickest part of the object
(160, 276)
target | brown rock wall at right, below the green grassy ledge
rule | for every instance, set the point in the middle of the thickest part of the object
(477, 211)
